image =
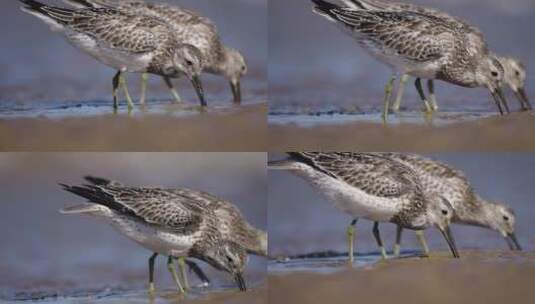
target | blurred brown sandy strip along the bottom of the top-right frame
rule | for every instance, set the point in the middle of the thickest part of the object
(511, 133)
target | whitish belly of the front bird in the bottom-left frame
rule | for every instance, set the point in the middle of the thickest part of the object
(156, 240)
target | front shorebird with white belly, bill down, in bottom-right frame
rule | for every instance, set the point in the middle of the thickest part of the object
(367, 185)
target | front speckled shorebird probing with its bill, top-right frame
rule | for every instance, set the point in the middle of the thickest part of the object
(420, 45)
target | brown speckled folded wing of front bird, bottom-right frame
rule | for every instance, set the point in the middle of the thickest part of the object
(369, 172)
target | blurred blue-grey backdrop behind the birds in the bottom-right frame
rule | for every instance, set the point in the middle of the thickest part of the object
(301, 221)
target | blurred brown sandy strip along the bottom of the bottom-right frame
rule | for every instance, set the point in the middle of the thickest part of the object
(475, 278)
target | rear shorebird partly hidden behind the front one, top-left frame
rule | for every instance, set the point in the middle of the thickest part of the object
(190, 28)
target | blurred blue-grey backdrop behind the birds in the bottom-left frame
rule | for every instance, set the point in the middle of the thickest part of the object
(44, 253)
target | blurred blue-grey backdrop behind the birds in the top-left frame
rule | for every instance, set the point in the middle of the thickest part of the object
(40, 70)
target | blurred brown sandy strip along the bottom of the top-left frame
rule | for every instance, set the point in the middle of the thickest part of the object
(241, 130)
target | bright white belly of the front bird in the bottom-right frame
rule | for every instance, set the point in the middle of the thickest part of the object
(356, 202)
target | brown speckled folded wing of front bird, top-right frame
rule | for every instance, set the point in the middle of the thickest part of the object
(414, 36)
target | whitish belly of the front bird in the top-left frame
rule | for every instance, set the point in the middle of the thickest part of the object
(119, 60)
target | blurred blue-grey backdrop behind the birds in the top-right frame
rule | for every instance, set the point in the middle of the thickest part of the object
(313, 64)
